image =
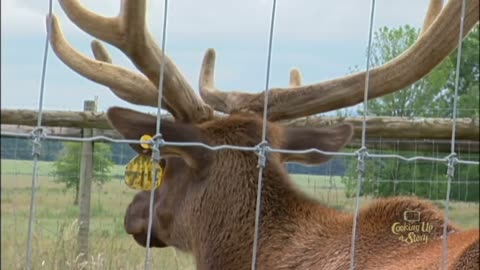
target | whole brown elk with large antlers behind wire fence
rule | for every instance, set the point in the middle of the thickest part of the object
(206, 202)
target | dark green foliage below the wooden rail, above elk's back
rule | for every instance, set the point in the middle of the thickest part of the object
(390, 177)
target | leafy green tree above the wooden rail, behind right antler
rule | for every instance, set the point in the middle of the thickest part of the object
(432, 96)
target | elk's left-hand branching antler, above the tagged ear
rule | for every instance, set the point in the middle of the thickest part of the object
(129, 33)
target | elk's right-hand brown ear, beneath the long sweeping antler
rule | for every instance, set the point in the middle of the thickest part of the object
(325, 139)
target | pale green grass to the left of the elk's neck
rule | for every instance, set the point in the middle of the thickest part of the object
(55, 228)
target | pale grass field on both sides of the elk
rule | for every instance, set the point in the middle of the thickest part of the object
(110, 247)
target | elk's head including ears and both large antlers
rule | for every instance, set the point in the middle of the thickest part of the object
(208, 195)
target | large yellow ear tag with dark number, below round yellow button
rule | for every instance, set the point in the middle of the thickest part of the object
(139, 173)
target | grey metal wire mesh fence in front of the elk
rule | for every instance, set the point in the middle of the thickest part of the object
(361, 157)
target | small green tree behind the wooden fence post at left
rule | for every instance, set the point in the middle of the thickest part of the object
(67, 166)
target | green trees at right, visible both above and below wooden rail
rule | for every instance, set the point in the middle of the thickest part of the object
(432, 96)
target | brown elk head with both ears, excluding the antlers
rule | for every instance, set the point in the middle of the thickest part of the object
(202, 187)
